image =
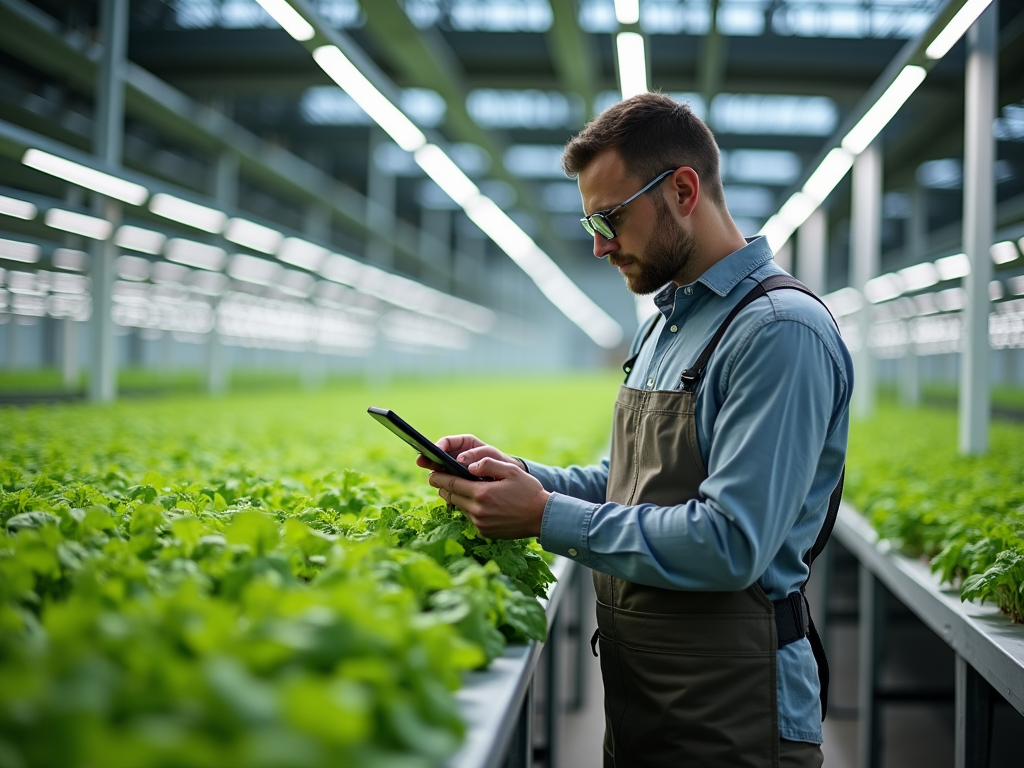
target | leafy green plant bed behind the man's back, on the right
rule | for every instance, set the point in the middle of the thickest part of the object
(964, 515)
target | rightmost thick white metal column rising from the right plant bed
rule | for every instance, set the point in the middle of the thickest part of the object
(979, 205)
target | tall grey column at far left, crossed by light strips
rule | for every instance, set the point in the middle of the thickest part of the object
(110, 119)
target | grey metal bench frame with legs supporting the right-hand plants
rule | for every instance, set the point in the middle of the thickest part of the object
(989, 648)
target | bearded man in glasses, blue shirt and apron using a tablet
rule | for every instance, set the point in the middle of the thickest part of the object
(721, 471)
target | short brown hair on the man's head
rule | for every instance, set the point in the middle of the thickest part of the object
(653, 134)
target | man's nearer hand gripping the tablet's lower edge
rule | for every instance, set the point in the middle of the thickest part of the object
(510, 507)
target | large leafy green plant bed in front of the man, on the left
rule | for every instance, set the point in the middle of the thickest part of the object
(260, 581)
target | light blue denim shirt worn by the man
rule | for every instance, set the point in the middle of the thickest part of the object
(773, 416)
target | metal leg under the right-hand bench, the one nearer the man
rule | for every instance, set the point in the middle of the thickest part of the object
(872, 623)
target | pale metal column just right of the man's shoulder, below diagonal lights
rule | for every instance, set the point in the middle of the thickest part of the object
(866, 247)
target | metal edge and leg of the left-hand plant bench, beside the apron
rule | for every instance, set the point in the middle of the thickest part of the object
(498, 704)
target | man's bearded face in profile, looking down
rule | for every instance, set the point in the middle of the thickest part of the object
(650, 248)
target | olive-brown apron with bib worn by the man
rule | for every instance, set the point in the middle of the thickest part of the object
(690, 676)
